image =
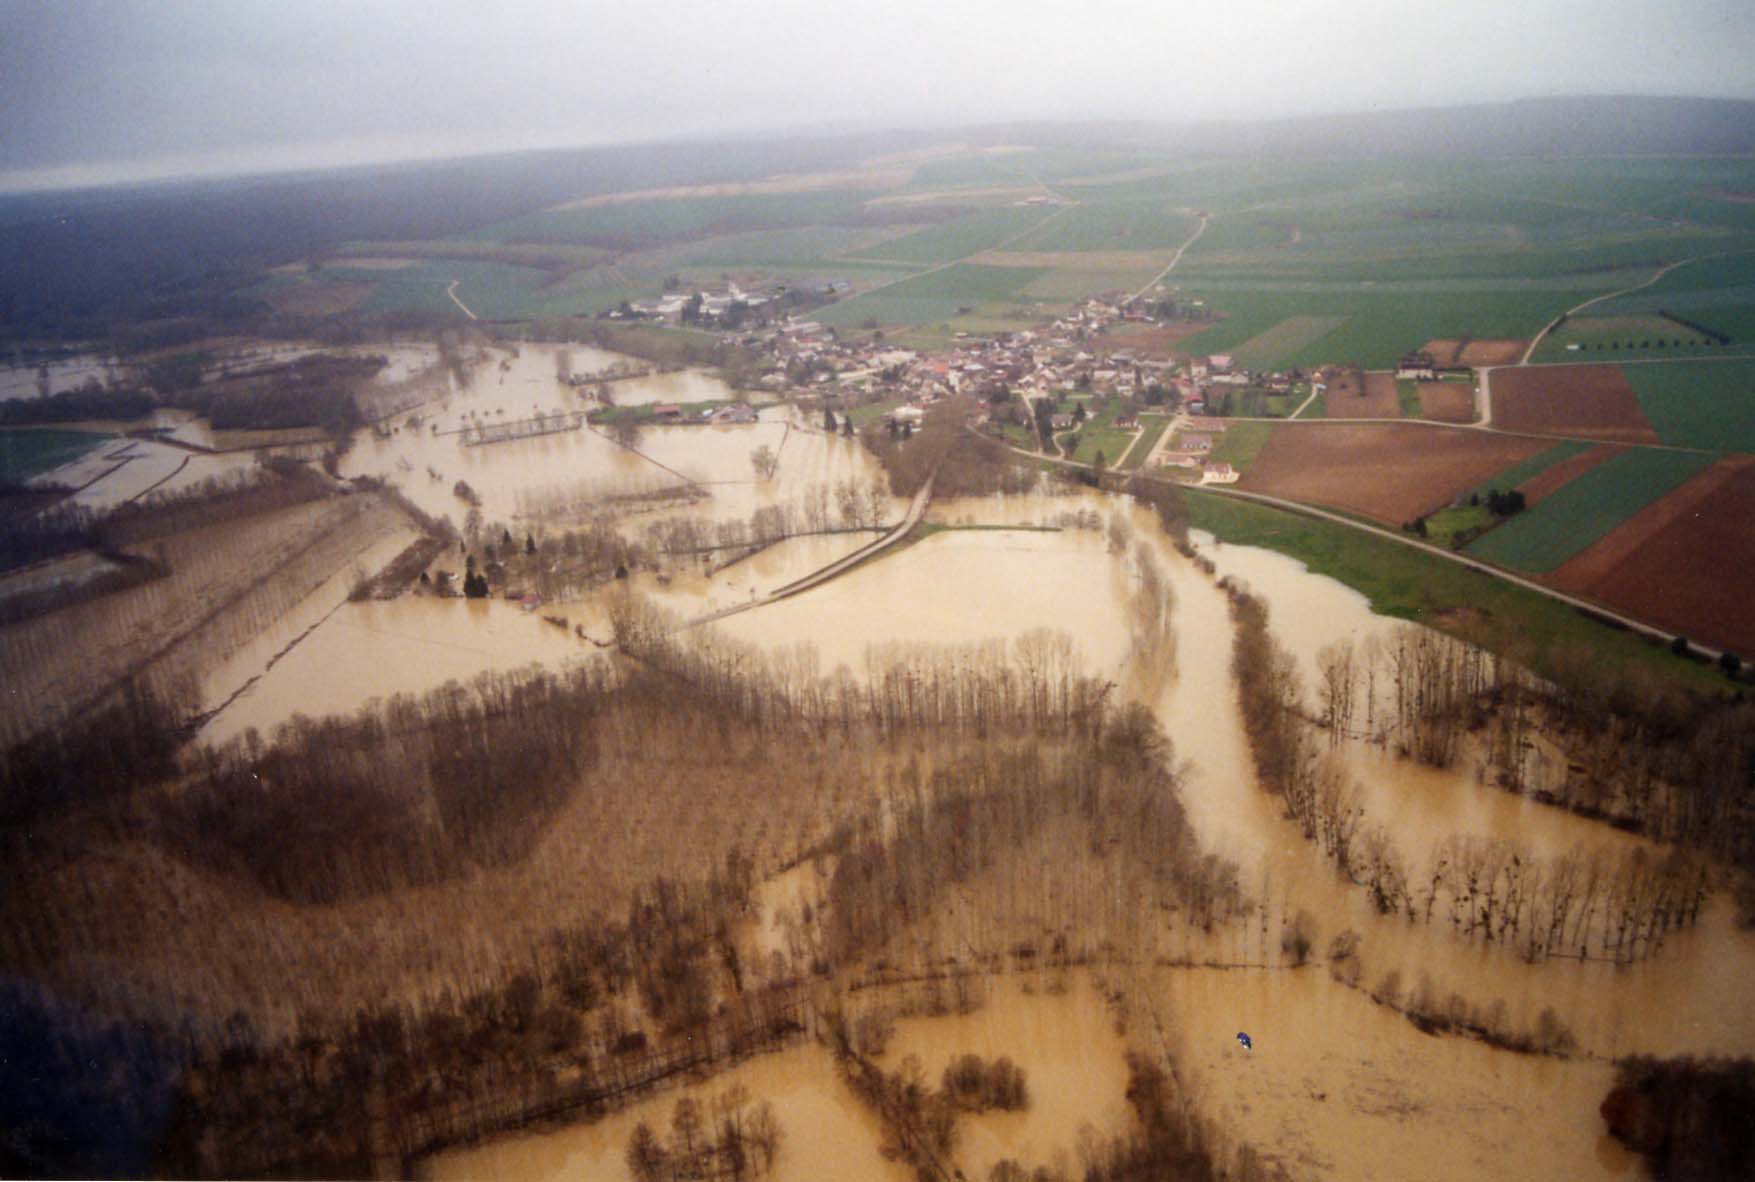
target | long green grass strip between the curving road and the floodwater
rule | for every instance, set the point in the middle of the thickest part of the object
(1408, 583)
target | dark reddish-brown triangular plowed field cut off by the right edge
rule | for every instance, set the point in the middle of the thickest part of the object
(1682, 562)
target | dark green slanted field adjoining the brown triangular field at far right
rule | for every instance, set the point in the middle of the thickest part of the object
(1565, 523)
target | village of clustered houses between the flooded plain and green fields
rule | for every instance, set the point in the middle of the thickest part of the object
(1043, 388)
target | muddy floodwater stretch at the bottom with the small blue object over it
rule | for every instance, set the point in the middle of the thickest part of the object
(1340, 1088)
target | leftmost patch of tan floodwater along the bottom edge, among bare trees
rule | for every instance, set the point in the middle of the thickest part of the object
(826, 1132)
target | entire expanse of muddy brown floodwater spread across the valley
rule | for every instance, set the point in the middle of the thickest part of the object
(1347, 1079)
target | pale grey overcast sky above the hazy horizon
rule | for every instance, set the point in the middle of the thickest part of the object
(96, 92)
